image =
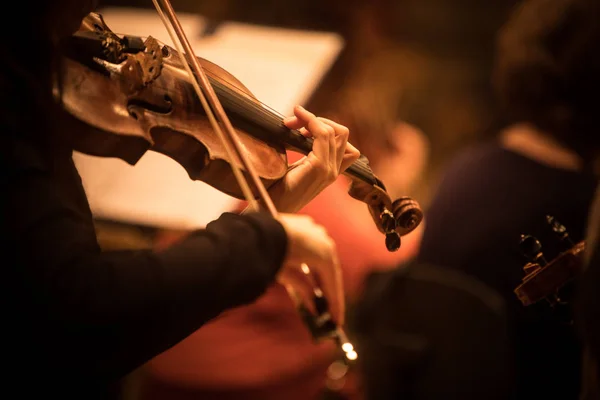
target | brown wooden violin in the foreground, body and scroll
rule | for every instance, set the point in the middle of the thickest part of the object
(135, 95)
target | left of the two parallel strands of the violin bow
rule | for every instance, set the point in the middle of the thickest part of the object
(235, 169)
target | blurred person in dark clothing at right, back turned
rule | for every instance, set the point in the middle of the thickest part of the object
(547, 74)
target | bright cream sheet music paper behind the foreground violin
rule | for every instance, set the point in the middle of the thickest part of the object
(281, 67)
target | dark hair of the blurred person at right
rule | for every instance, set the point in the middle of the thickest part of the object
(547, 69)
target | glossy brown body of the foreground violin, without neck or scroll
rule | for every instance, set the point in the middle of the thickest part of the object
(146, 102)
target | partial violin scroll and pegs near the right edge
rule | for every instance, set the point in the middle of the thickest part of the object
(550, 280)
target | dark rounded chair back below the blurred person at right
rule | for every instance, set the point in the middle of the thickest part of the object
(425, 332)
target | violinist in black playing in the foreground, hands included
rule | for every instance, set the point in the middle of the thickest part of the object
(76, 319)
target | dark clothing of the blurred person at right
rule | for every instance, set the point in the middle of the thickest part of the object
(487, 199)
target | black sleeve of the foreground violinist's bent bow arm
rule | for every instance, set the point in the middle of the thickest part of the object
(108, 312)
